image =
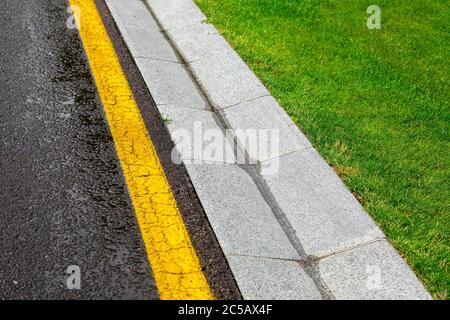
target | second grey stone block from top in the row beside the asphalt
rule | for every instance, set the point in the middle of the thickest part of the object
(170, 84)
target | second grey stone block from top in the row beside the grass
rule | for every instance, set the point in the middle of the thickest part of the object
(198, 41)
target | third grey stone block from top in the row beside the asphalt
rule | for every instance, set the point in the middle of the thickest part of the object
(197, 135)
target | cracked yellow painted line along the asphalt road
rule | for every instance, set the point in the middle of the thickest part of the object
(175, 265)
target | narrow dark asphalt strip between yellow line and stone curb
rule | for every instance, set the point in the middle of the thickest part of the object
(212, 259)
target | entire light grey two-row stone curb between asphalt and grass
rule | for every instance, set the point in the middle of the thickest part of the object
(297, 233)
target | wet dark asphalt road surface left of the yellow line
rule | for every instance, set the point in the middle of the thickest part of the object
(63, 199)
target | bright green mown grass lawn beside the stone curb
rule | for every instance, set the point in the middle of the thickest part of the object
(375, 103)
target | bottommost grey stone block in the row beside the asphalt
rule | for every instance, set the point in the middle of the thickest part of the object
(270, 279)
